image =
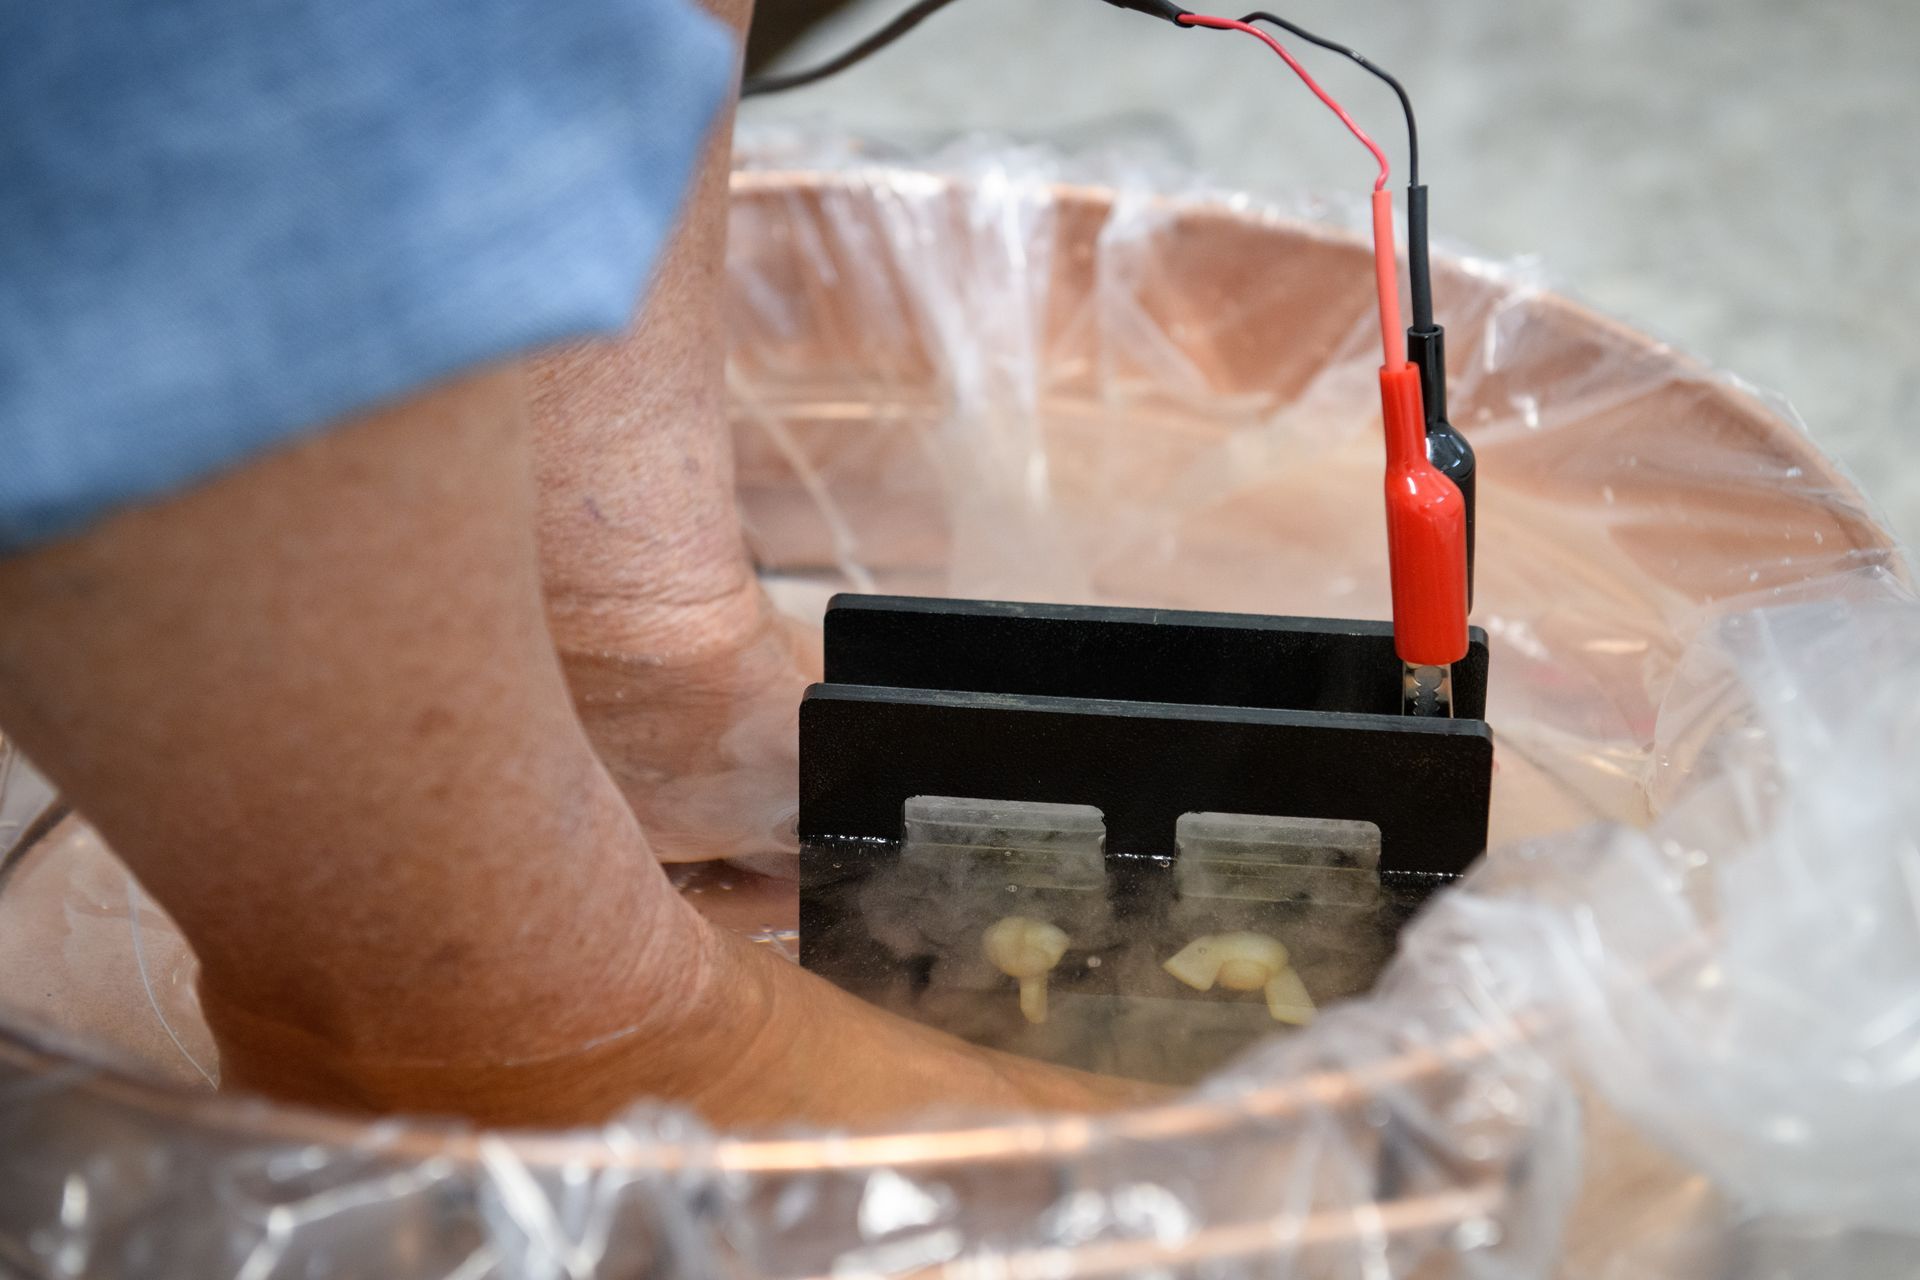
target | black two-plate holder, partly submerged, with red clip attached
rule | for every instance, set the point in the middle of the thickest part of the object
(1147, 717)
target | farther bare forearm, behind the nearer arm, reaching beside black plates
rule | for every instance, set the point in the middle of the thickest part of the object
(684, 676)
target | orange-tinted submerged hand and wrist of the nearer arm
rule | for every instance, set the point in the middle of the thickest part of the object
(746, 1039)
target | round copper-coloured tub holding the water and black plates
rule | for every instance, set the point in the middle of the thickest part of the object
(992, 383)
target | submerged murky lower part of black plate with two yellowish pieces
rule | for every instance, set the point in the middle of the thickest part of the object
(1013, 926)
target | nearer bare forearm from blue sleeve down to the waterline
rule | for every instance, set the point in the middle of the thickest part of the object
(316, 709)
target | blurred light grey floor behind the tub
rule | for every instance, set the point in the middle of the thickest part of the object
(1733, 176)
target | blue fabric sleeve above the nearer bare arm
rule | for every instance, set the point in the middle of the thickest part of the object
(231, 222)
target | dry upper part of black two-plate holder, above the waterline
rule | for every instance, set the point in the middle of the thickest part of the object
(1143, 715)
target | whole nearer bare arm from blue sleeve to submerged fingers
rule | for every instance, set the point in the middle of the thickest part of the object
(316, 707)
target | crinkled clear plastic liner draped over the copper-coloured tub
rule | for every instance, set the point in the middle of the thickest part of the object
(1671, 1028)
